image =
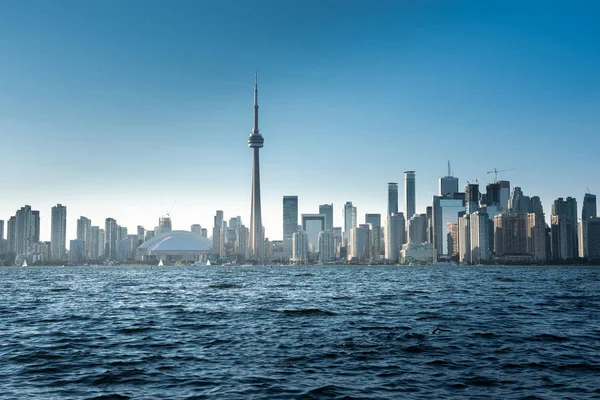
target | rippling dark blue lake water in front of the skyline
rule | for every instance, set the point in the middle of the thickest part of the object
(299, 332)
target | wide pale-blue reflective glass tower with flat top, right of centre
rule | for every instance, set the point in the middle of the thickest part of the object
(444, 210)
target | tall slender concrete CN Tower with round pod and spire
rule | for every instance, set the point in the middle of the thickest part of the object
(255, 142)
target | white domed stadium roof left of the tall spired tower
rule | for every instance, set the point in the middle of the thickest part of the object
(177, 241)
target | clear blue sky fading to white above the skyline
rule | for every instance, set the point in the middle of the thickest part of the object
(119, 108)
